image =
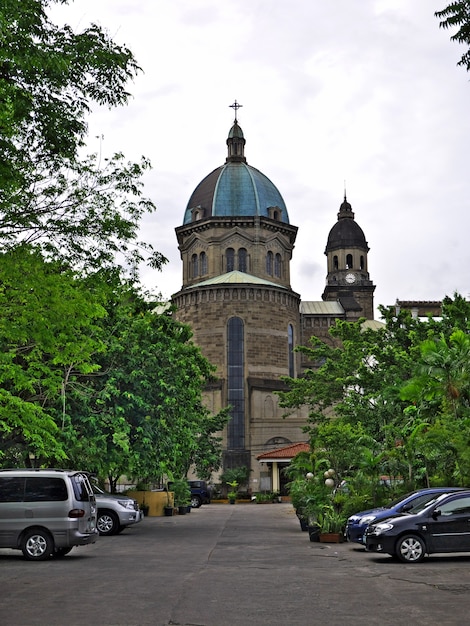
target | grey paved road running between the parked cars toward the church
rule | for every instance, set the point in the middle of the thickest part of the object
(222, 565)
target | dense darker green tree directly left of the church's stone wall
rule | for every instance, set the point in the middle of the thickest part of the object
(142, 413)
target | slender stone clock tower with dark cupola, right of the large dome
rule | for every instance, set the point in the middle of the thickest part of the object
(347, 279)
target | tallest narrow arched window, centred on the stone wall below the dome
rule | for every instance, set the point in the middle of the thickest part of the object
(236, 384)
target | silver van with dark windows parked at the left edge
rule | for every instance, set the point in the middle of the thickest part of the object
(46, 512)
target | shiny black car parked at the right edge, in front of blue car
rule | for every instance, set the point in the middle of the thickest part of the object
(441, 525)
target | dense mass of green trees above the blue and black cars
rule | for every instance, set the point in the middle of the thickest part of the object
(391, 402)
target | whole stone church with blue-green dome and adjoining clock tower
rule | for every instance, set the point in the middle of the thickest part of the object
(236, 244)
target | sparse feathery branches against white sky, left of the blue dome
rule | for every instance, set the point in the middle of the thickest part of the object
(85, 214)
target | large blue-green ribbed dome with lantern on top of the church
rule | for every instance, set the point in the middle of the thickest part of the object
(236, 189)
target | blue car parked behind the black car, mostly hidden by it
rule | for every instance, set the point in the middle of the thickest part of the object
(357, 523)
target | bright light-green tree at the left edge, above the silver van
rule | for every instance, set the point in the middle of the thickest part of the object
(48, 334)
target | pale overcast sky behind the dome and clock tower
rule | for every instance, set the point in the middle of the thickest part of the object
(358, 93)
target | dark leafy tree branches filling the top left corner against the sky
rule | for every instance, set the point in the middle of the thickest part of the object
(49, 76)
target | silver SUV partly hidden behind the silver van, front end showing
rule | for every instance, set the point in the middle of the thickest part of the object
(115, 512)
